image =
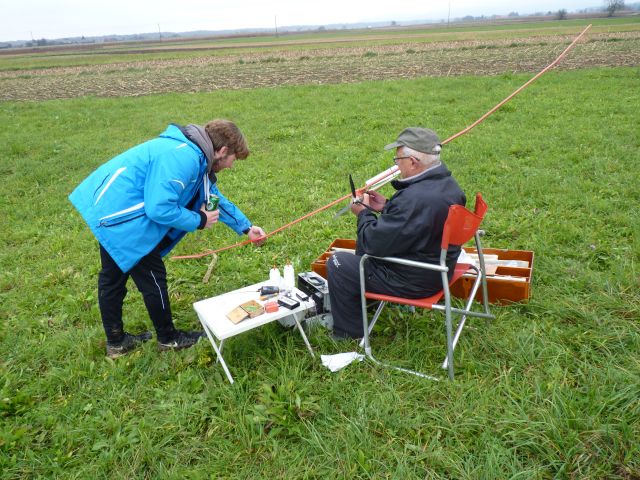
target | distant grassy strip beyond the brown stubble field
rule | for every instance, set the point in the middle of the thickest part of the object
(150, 51)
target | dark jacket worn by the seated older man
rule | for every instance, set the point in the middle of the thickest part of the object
(410, 226)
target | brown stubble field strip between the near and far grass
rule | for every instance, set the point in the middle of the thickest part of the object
(319, 66)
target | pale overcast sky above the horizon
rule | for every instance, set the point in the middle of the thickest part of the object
(26, 19)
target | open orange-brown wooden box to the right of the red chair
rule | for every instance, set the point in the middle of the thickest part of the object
(508, 284)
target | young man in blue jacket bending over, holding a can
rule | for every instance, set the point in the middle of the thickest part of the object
(141, 203)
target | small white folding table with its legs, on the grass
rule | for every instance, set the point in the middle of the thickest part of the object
(212, 314)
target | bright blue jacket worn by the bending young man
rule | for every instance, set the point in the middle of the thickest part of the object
(144, 194)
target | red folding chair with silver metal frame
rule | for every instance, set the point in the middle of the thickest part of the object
(461, 225)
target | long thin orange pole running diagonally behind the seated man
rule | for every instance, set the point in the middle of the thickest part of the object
(453, 137)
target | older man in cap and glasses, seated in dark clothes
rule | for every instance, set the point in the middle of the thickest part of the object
(408, 225)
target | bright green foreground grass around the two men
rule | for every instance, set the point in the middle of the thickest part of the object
(548, 390)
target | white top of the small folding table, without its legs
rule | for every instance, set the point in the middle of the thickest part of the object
(212, 311)
